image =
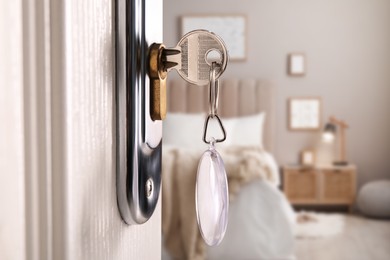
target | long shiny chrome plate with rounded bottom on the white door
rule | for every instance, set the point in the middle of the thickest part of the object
(138, 144)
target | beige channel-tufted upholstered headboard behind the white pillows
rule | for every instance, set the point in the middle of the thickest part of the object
(238, 97)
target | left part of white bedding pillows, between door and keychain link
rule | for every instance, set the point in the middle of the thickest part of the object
(184, 130)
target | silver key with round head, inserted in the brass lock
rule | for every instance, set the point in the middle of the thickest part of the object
(194, 54)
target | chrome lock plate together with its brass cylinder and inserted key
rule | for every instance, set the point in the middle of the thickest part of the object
(141, 102)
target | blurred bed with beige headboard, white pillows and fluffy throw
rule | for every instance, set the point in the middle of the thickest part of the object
(261, 221)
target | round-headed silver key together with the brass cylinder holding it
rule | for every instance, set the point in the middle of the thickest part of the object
(191, 58)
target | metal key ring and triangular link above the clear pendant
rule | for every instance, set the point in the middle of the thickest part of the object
(213, 106)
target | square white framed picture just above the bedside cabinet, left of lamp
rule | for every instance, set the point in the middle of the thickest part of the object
(304, 113)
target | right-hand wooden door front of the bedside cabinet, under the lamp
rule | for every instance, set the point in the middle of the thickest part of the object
(338, 185)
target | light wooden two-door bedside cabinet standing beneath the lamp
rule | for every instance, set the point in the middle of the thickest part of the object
(320, 185)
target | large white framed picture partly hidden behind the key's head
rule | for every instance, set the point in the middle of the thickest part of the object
(231, 28)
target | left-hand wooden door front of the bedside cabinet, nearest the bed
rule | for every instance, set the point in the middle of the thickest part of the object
(300, 185)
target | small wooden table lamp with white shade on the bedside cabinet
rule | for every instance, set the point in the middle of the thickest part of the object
(328, 135)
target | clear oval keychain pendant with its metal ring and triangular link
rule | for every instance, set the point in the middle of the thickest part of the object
(212, 198)
